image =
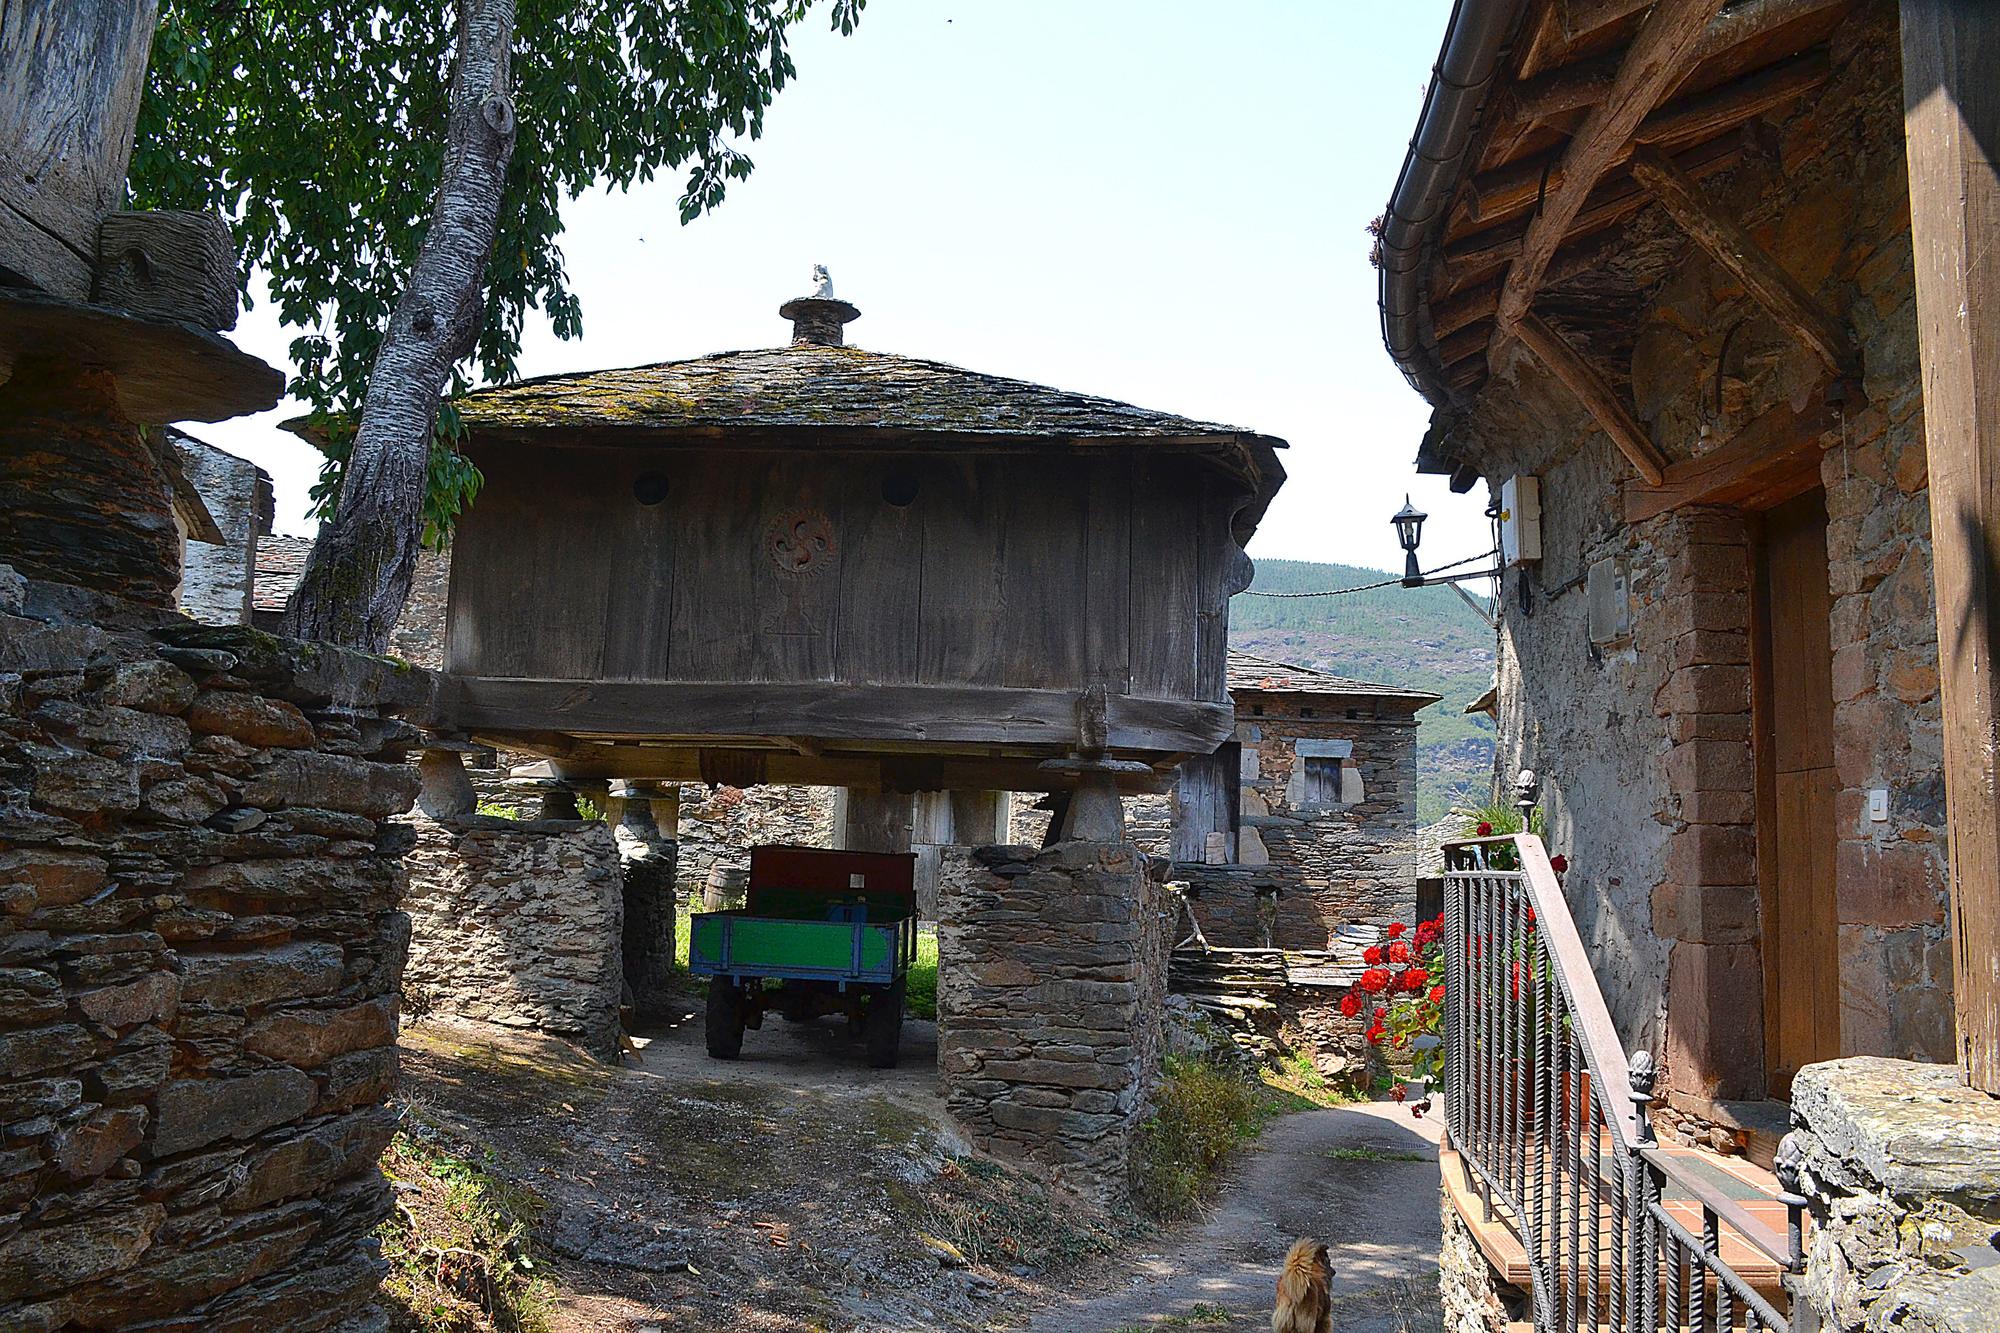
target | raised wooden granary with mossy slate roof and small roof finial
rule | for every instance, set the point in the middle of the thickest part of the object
(819, 563)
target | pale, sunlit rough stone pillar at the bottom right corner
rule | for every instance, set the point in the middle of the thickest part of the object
(1901, 1168)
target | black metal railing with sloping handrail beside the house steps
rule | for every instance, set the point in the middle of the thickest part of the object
(1549, 1122)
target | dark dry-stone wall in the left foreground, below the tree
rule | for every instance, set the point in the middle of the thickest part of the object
(199, 960)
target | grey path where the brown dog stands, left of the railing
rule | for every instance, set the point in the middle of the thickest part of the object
(1365, 1180)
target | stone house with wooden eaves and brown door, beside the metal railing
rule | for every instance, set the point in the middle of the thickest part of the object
(1655, 269)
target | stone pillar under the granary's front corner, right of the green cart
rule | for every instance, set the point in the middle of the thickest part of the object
(1051, 990)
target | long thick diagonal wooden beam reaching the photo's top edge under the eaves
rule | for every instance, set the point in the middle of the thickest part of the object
(1653, 65)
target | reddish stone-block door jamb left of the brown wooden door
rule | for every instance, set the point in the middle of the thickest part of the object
(1709, 900)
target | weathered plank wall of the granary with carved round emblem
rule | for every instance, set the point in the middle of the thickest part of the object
(1043, 571)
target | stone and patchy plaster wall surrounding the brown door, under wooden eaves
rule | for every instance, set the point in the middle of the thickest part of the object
(1643, 738)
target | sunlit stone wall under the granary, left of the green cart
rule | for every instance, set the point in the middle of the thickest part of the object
(519, 924)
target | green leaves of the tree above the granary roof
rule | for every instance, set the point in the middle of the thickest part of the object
(317, 127)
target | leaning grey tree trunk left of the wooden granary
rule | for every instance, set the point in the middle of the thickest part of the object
(365, 555)
